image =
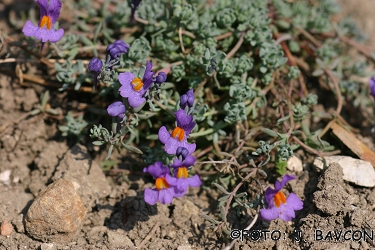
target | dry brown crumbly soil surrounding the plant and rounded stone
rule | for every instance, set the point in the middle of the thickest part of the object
(34, 155)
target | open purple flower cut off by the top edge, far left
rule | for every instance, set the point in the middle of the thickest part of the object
(48, 15)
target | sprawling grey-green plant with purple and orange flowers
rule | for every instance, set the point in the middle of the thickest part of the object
(224, 88)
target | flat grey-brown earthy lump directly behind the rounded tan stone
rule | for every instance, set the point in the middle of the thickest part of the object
(85, 174)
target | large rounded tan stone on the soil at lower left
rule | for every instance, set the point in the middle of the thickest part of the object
(57, 213)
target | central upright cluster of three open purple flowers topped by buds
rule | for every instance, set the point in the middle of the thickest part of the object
(173, 181)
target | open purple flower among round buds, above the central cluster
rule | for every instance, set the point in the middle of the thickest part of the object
(134, 88)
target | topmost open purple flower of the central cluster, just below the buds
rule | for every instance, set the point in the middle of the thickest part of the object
(178, 137)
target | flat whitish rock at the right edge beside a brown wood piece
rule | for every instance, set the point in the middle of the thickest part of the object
(357, 171)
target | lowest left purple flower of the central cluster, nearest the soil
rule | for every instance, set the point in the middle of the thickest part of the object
(163, 191)
